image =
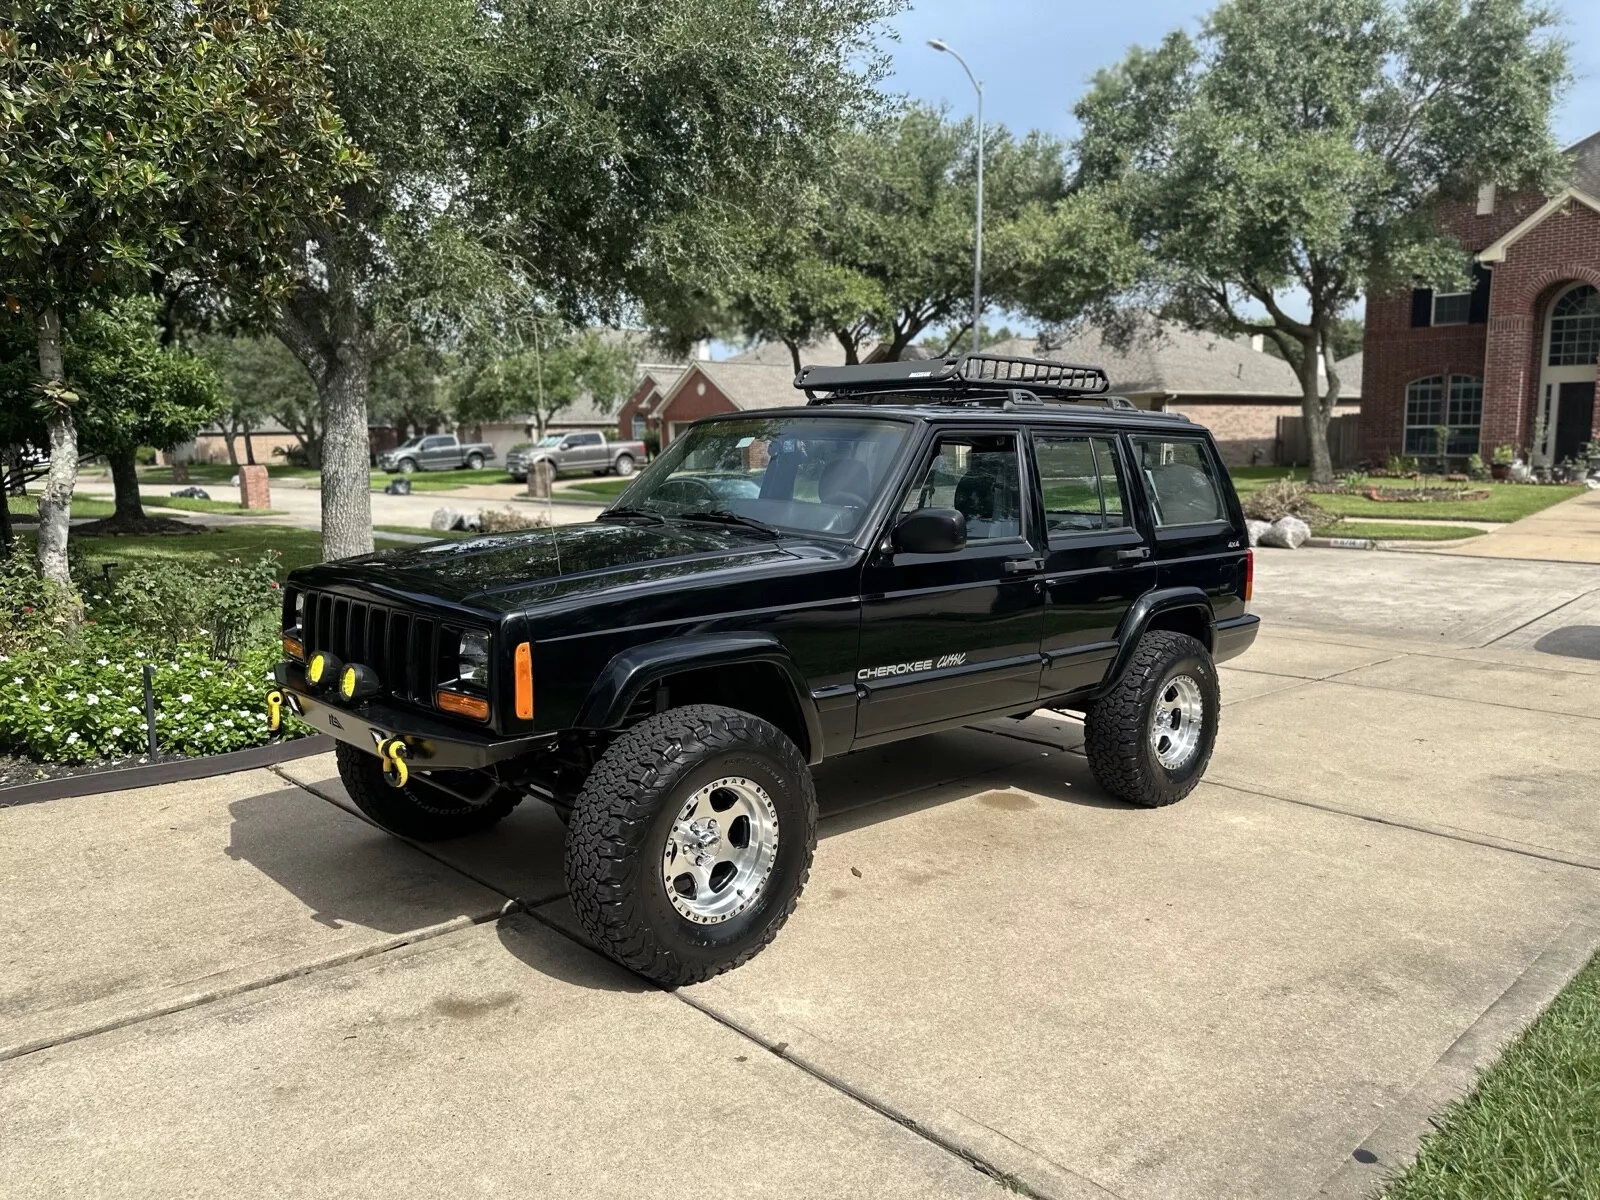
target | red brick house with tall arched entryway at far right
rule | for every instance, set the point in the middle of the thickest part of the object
(1513, 361)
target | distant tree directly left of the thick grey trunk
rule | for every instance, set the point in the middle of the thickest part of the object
(262, 382)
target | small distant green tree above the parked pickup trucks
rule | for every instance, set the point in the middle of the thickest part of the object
(546, 378)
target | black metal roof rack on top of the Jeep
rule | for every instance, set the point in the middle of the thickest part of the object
(962, 380)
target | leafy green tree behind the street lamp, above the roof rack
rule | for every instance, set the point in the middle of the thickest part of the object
(881, 247)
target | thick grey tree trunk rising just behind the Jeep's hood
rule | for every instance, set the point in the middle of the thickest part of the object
(346, 478)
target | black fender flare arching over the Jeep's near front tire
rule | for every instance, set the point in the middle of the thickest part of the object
(638, 668)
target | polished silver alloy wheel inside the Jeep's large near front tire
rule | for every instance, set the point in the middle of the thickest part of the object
(721, 850)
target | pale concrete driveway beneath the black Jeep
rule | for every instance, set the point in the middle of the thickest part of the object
(998, 978)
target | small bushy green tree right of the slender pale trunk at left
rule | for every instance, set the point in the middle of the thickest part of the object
(134, 393)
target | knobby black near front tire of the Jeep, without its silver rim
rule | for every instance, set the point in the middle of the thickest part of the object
(620, 828)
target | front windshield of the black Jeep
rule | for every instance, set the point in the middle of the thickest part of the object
(794, 473)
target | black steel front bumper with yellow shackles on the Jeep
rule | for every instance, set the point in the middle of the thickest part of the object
(433, 745)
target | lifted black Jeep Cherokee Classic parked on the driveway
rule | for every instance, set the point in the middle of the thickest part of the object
(919, 546)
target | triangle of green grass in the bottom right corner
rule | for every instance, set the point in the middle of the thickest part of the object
(1532, 1127)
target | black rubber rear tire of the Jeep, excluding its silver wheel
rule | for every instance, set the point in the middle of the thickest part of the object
(1118, 727)
